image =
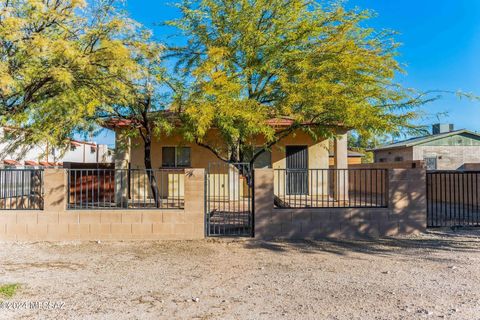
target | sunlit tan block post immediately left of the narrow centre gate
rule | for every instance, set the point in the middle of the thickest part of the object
(194, 194)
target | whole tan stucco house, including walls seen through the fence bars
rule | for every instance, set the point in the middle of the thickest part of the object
(297, 153)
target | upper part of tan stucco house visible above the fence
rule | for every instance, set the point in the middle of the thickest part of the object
(172, 151)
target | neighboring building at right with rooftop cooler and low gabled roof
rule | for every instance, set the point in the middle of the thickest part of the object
(444, 149)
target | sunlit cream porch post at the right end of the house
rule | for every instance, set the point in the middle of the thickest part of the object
(341, 163)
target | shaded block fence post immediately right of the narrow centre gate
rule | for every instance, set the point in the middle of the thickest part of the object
(263, 200)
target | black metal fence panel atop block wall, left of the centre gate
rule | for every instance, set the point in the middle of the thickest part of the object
(125, 189)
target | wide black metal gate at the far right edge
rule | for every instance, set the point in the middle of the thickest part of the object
(453, 199)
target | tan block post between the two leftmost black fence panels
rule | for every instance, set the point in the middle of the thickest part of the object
(55, 190)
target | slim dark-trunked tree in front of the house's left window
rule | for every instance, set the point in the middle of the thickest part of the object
(141, 106)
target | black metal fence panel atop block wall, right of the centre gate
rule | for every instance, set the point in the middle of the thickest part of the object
(331, 188)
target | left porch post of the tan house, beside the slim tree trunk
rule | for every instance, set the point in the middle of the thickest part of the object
(122, 159)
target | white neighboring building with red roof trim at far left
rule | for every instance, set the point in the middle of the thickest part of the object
(44, 155)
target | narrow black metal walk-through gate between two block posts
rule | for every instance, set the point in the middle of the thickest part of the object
(229, 199)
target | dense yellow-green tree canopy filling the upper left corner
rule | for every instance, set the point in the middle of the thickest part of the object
(57, 60)
